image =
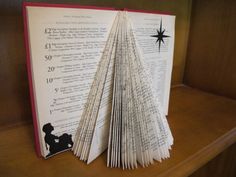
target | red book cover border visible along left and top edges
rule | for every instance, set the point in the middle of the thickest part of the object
(28, 59)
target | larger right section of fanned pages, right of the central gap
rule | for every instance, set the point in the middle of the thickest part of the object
(139, 132)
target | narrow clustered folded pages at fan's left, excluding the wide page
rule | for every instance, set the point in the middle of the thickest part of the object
(99, 93)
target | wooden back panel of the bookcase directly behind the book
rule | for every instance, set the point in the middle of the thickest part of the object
(14, 95)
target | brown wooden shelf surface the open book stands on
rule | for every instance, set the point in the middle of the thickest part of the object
(203, 125)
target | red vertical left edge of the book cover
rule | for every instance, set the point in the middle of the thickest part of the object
(30, 80)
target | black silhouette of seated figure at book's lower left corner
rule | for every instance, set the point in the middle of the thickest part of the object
(55, 143)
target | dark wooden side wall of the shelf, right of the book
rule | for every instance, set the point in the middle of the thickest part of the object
(211, 56)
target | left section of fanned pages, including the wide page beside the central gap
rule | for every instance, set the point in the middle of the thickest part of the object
(90, 139)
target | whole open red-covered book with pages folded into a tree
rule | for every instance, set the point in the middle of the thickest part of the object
(100, 79)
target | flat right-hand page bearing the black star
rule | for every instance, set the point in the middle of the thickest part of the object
(154, 35)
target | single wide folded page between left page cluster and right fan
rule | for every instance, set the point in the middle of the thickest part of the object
(101, 130)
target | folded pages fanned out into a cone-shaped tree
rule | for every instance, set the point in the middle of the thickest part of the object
(139, 132)
